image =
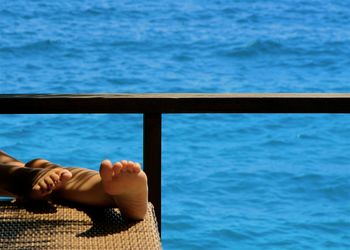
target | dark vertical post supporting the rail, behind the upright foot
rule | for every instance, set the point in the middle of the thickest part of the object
(152, 159)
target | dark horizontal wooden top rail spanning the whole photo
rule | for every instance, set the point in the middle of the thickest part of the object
(175, 103)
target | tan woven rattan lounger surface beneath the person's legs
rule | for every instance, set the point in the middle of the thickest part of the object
(48, 226)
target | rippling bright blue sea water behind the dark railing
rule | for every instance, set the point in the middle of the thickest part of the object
(229, 181)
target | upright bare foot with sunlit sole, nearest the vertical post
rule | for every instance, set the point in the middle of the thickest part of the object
(127, 184)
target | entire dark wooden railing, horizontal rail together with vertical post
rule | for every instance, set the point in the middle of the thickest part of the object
(152, 106)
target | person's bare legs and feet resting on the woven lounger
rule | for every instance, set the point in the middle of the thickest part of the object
(122, 184)
